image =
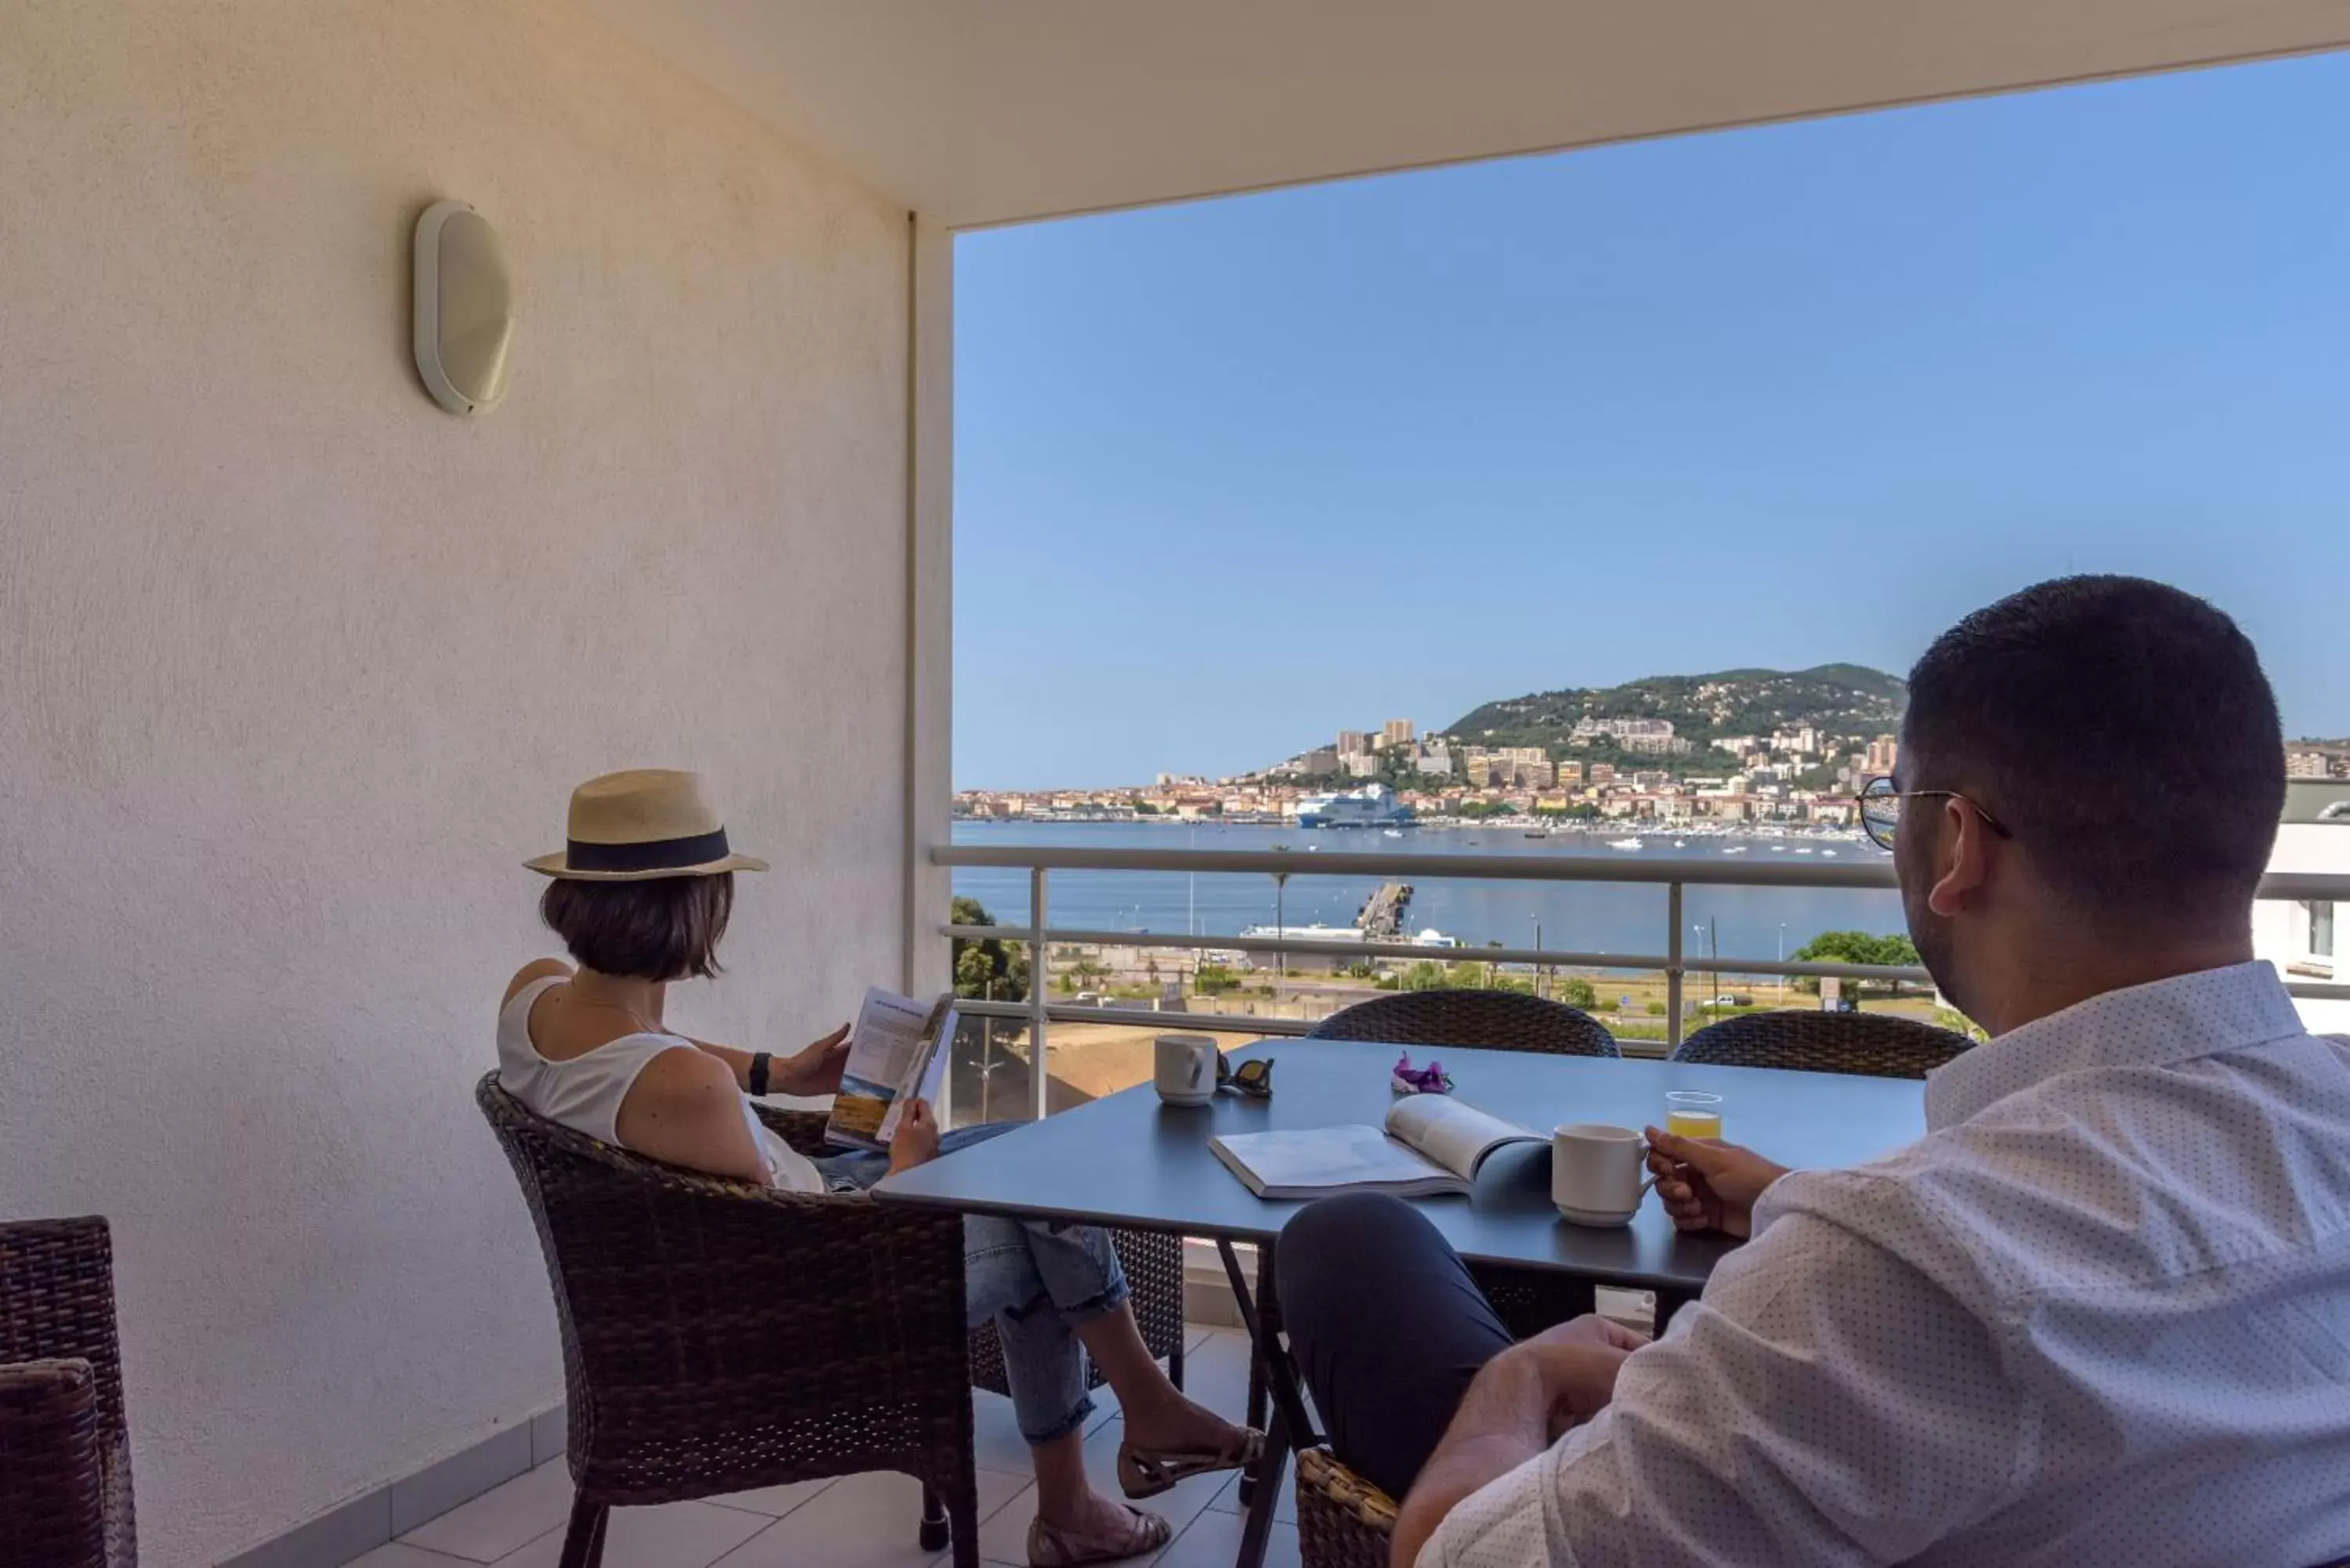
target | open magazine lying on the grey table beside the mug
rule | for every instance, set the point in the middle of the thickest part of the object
(1430, 1146)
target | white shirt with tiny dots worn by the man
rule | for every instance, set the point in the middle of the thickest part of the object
(2097, 1315)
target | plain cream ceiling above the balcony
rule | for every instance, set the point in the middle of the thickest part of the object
(991, 112)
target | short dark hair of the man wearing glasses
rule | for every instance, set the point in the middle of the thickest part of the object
(2123, 730)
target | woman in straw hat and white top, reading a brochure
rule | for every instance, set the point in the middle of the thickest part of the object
(640, 897)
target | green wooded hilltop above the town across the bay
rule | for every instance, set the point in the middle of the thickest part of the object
(1834, 699)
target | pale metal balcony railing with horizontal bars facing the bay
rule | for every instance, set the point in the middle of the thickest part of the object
(1042, 937)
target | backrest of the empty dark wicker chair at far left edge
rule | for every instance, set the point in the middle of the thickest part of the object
(58, 1304)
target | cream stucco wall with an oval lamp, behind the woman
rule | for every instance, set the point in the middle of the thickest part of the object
(295, 666)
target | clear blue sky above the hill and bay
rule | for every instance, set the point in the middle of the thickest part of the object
(1240, 474)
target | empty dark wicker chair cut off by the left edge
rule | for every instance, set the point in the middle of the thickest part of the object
(65, 1447)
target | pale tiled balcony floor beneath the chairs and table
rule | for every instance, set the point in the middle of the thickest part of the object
(857, 1522)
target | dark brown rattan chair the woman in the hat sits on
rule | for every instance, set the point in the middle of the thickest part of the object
(723, 1336)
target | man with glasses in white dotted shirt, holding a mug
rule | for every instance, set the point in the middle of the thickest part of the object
(2097, 1315)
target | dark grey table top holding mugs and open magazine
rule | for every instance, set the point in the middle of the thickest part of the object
(1129, 1160)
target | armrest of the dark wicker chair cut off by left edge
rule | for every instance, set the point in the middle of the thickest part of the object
(53, 1487)
